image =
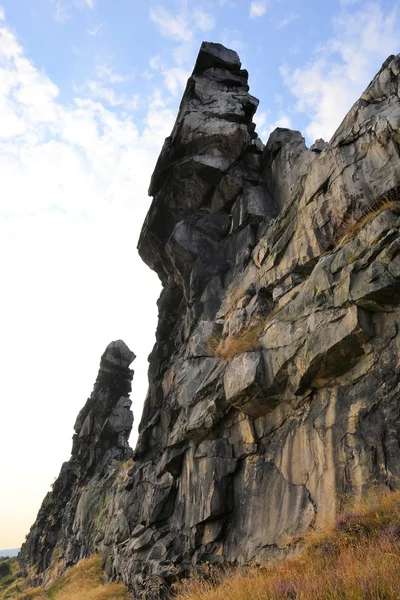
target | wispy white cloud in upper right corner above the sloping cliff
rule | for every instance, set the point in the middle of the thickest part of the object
(327, 87)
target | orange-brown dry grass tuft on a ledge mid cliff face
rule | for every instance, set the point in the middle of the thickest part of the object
(229, 347)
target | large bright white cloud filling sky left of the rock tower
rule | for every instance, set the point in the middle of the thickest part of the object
(74, 195)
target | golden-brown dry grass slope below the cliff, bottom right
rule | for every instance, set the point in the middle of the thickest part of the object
(357, 559)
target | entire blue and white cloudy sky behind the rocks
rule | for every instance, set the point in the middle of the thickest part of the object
(89, 90)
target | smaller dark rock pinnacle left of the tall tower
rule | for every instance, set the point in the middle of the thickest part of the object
(73, 514)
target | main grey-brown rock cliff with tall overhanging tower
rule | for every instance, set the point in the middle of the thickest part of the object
(274, 385)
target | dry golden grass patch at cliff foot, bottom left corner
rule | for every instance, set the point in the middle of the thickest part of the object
(84, 581)
